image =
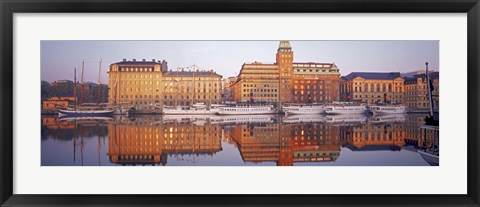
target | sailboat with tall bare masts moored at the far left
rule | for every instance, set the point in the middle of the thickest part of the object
(94, 110)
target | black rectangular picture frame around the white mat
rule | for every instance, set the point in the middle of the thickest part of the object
(9, 7)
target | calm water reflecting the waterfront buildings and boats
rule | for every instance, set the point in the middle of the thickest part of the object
(257, 140)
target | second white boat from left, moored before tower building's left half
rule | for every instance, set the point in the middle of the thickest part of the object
(247, 110)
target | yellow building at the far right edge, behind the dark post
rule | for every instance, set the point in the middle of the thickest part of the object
(416, 92)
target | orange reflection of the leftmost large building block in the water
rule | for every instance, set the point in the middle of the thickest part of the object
(147, 140)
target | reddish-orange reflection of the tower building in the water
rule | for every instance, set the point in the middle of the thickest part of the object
(287, 143)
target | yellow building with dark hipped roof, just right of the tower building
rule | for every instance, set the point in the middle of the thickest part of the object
(372, 88)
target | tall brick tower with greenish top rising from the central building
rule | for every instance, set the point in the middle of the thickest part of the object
(285, 72)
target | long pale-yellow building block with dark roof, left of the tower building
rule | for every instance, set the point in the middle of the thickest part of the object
(149, 84)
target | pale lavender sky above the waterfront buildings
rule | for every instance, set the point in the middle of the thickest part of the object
(58, 58)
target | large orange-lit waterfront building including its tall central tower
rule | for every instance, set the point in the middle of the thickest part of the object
(286, 80)
